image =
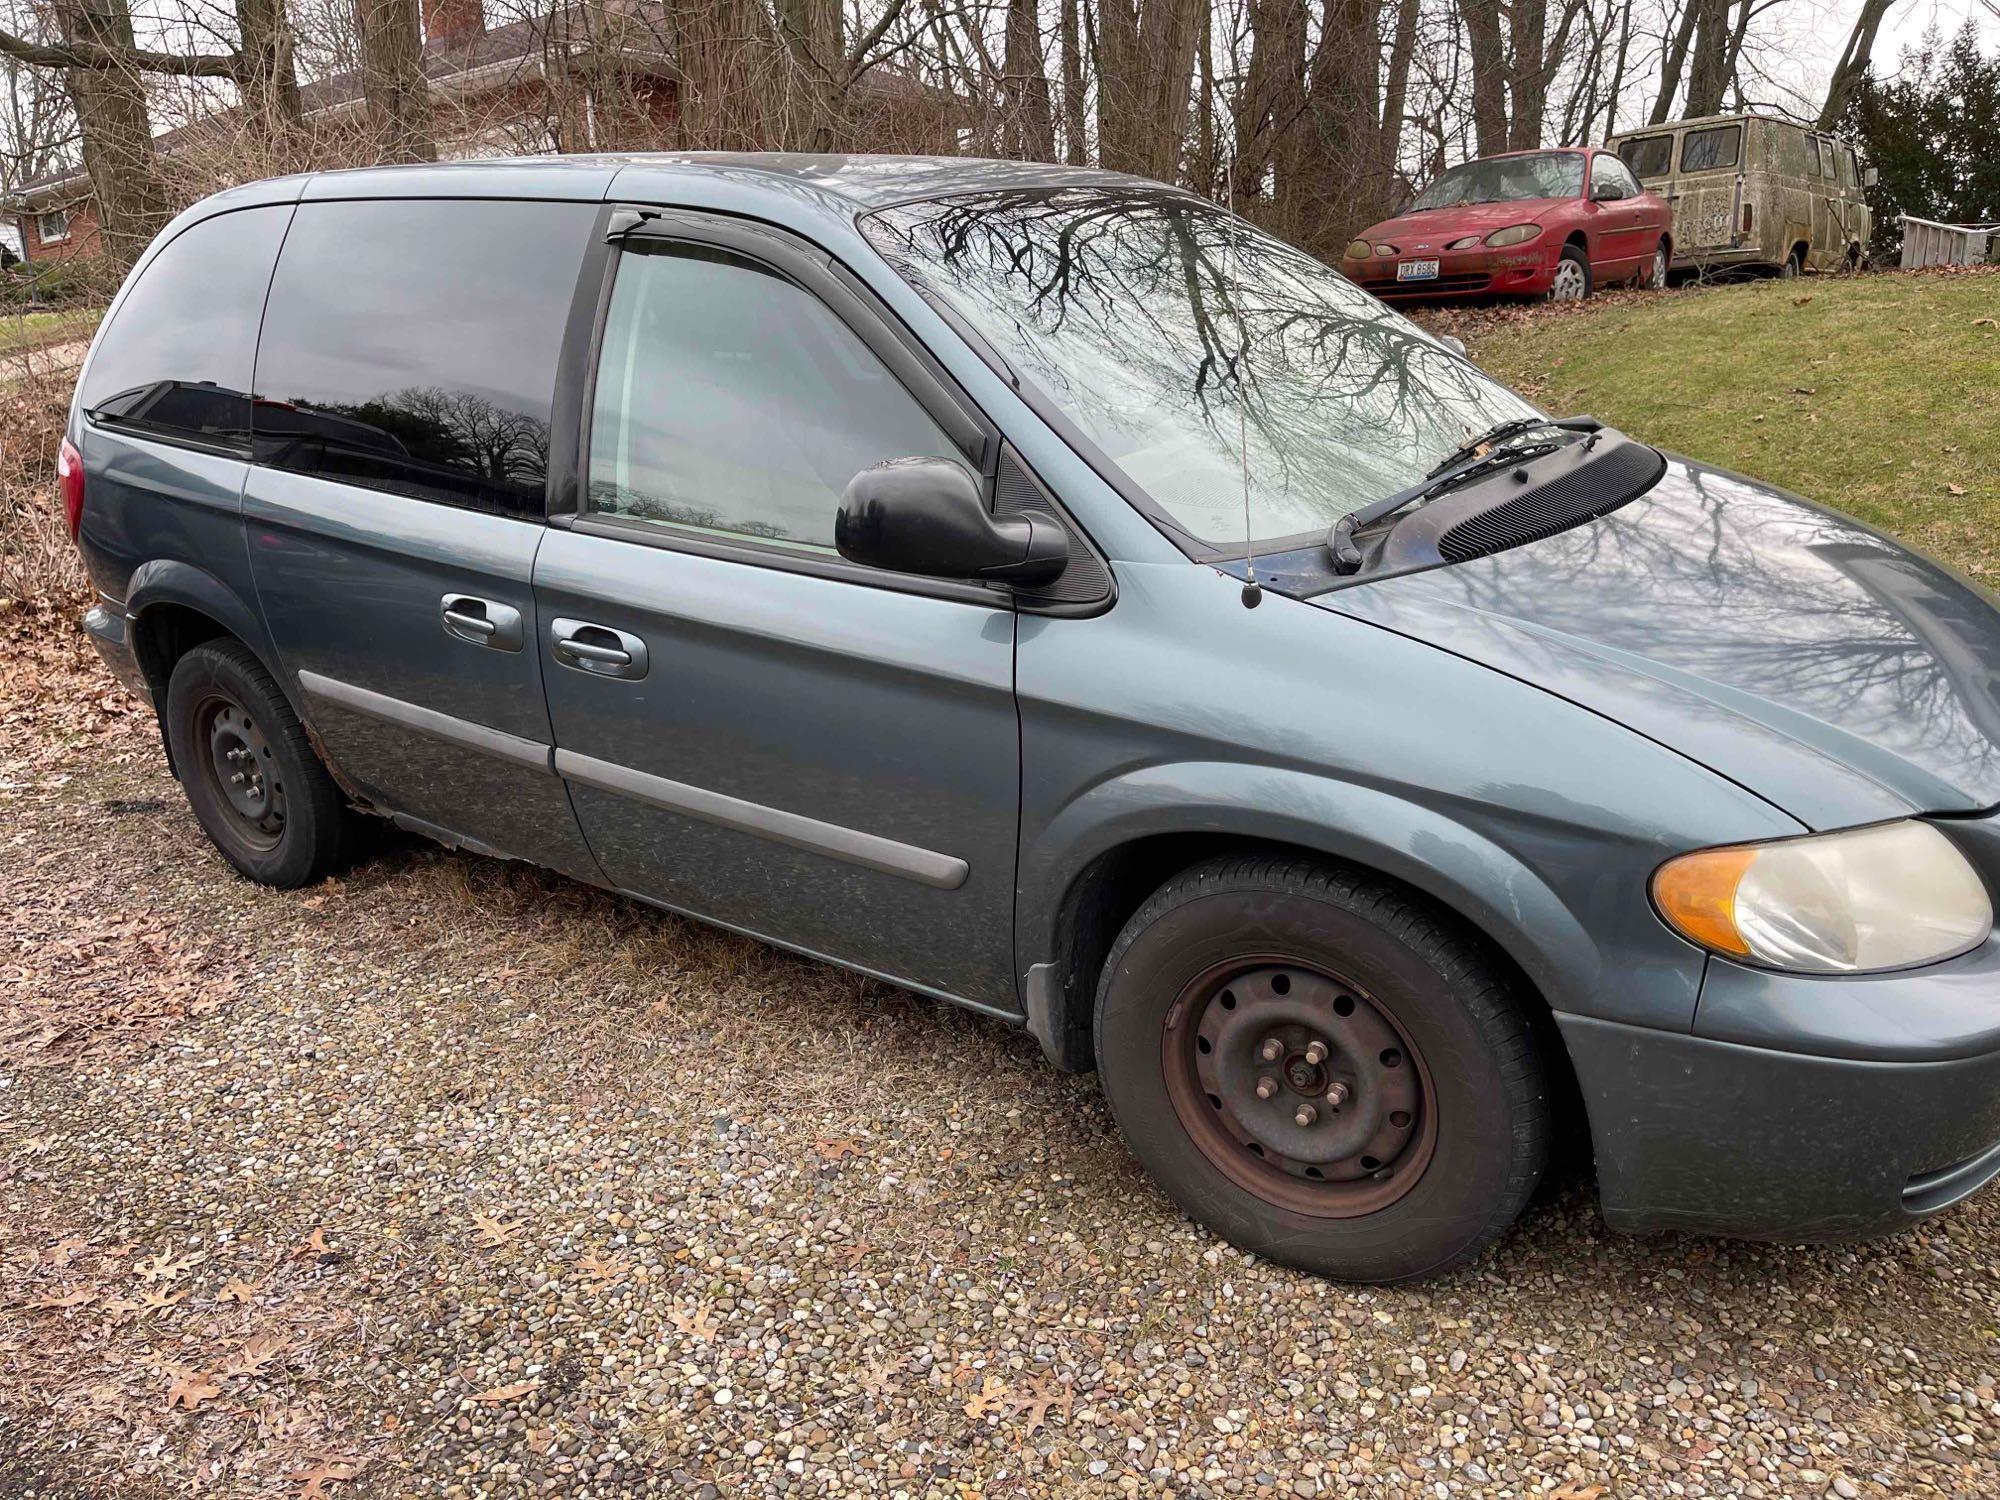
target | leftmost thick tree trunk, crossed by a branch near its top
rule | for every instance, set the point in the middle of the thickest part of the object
(117, 133)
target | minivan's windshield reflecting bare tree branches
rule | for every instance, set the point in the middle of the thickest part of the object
(1193, 349)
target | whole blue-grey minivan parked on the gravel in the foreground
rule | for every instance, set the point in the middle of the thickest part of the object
(1045, 591)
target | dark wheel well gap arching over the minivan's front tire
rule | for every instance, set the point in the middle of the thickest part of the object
(1113, 887)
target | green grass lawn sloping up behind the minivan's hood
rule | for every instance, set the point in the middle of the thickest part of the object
(1879, 395)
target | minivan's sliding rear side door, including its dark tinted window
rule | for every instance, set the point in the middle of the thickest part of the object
(397, 501)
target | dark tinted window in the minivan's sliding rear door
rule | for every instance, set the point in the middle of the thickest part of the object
(411, 347)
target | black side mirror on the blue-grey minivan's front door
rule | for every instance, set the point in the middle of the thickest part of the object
(925, 515)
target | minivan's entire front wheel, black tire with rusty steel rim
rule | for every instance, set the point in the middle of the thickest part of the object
(1321, 1071)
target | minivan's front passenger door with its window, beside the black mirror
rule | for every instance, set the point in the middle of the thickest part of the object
(755, 731)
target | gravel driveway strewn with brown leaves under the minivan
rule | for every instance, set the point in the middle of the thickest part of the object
(459, 1179)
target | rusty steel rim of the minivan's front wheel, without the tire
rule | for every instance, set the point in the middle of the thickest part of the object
(1301, 1087)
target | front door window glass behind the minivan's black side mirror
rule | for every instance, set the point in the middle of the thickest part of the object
(733, 401)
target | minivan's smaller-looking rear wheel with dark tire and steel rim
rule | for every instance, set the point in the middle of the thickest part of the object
(223, 697)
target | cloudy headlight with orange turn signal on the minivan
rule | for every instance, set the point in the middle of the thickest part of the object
(1885, 897)
